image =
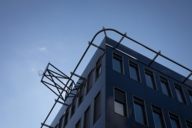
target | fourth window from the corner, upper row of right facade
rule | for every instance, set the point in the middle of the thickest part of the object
(165, 86)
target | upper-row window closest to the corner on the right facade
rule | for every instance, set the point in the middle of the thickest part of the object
(117, 63)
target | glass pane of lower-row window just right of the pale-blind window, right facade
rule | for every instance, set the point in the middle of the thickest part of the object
(139, 113)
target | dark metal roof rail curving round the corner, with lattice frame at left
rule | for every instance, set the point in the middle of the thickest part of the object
(63, 86)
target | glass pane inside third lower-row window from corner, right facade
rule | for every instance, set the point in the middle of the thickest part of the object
(157, 120)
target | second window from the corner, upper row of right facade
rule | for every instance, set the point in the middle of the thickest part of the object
(134, 71)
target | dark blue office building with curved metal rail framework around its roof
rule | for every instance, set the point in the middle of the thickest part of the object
(121, 88)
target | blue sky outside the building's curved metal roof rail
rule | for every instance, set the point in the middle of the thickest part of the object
(35, 32)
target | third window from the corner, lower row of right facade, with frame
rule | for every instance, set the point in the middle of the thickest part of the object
(158, 118)
